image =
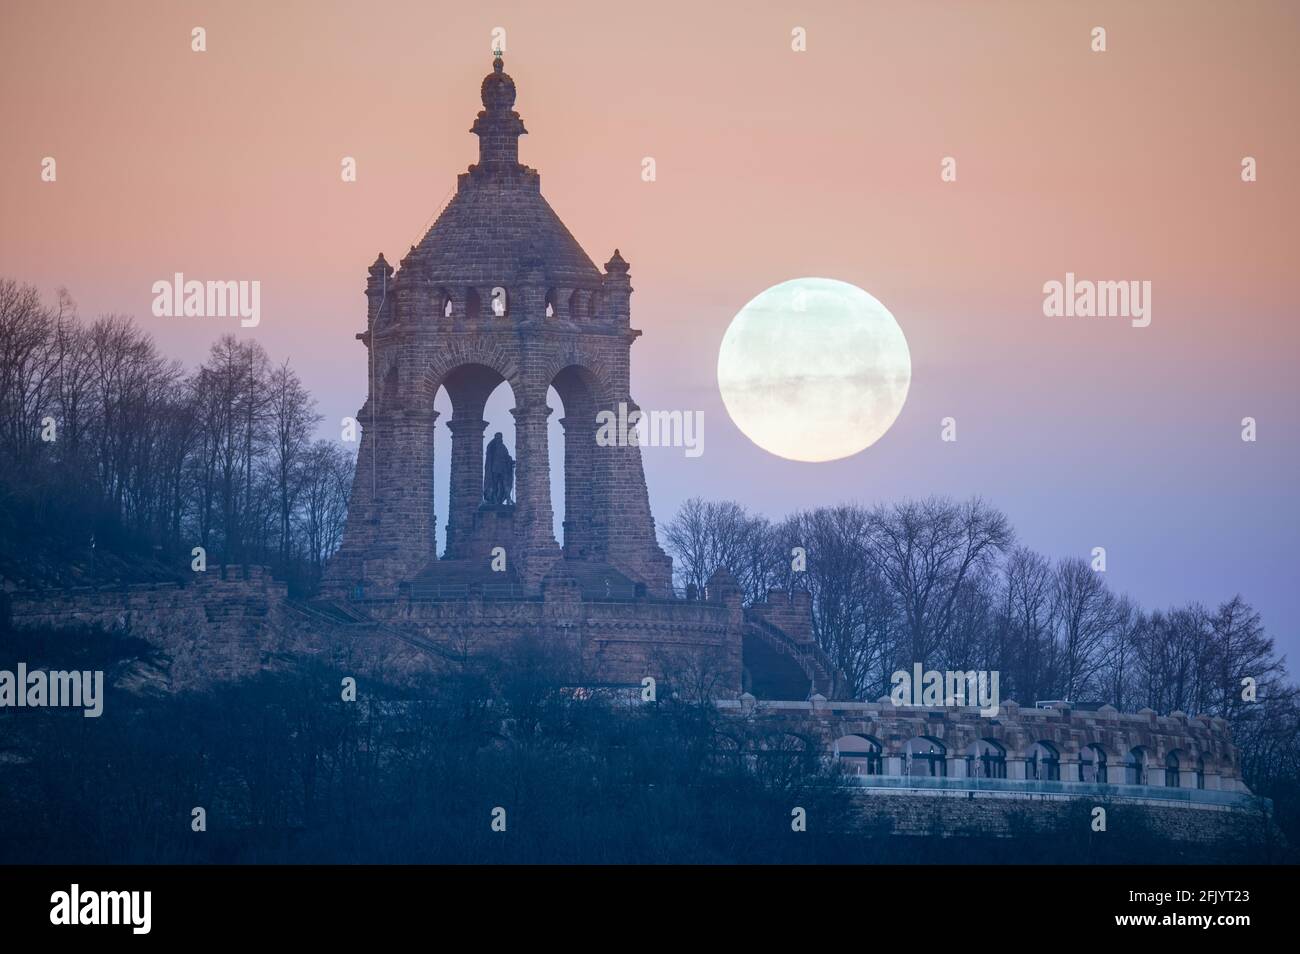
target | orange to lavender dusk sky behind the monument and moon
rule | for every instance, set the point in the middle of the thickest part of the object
(772, 164)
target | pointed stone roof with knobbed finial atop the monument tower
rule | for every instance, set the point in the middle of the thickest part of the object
(499, 227)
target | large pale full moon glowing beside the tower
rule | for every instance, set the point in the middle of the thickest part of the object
(814, 370)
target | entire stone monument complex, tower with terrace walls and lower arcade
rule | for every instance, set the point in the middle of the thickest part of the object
(500, 290)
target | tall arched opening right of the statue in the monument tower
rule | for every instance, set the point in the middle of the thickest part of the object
(577, 491)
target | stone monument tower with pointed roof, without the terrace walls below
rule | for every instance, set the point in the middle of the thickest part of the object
(497, 290)
